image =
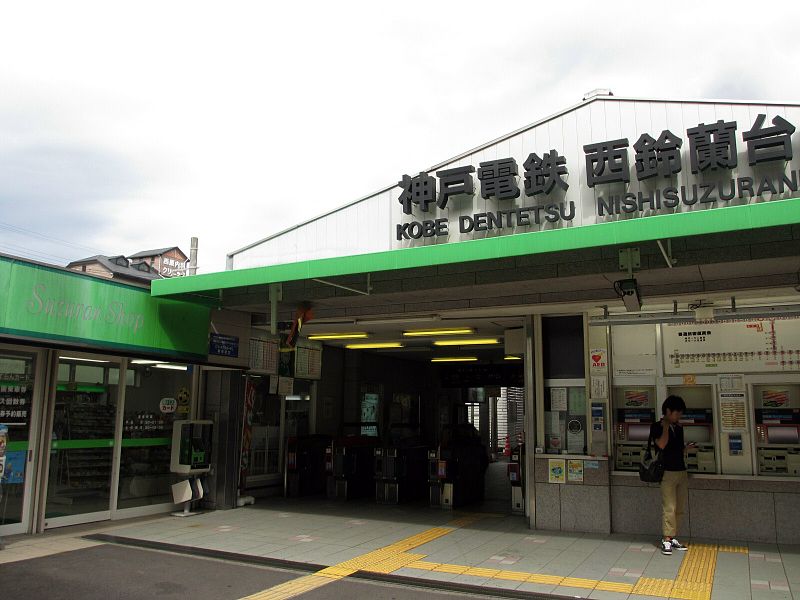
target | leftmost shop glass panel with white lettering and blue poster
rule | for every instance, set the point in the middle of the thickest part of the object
(16, 396)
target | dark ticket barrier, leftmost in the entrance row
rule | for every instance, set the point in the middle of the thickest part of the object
(305, 465)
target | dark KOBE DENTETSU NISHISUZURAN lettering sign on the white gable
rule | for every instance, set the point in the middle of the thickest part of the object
(711, 165)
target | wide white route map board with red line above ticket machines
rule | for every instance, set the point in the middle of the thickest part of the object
(743, 346)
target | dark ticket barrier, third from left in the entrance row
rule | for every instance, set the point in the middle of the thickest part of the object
(400, 473)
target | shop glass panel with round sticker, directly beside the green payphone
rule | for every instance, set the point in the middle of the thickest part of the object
(158, 397)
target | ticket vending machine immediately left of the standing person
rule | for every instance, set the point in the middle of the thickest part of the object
(635, 412)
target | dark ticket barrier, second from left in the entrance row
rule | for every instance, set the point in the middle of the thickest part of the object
(353, 467)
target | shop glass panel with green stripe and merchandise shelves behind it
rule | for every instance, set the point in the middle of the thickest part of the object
(82, 446)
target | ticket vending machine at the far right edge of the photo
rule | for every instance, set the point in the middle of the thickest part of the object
(777, 421)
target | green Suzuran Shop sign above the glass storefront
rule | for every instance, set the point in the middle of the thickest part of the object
(38, 302)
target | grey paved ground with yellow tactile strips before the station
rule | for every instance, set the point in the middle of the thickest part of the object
(330, 547)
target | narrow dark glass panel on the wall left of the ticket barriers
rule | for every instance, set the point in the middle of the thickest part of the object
(265, 432)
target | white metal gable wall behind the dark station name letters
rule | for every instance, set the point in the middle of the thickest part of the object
(604, 119)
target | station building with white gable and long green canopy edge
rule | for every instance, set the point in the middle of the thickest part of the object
(566, 277)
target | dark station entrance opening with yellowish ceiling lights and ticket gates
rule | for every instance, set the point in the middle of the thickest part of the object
(403, 411)
